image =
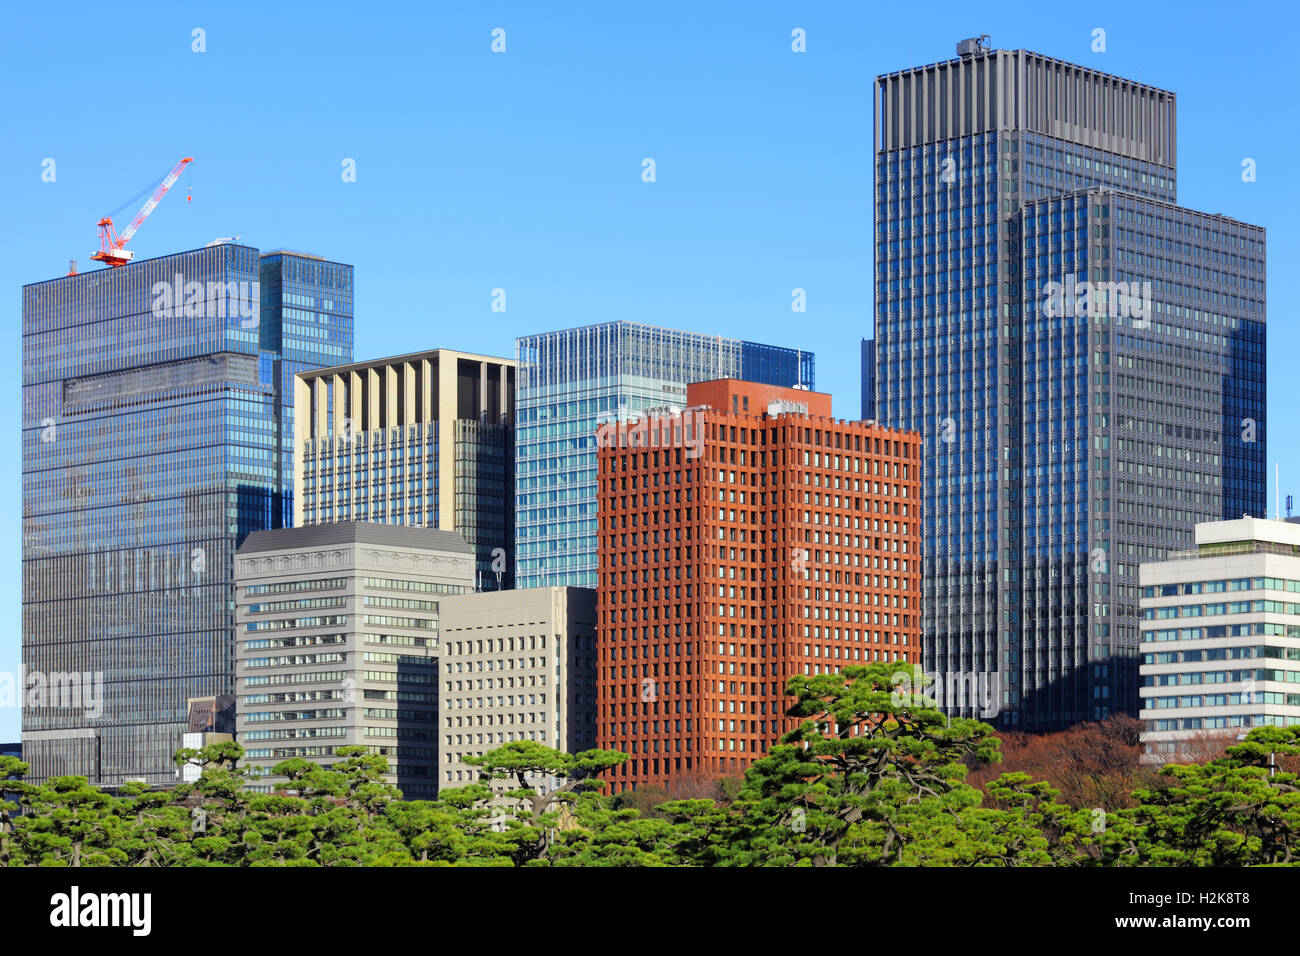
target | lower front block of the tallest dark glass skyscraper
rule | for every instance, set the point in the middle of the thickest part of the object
(1132, 426)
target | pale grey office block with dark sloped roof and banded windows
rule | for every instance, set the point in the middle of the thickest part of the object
(337, 643)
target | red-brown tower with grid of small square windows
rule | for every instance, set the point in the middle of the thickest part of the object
(742, 542)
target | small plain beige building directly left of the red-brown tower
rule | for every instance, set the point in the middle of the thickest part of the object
(517, 665)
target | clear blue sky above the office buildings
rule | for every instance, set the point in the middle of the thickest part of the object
(523, 170)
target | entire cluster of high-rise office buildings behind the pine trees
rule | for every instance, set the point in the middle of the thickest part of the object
(630, 537)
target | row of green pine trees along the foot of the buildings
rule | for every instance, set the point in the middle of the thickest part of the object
(863, 782)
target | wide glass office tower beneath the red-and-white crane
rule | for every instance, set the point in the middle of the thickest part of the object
(150, 451)
